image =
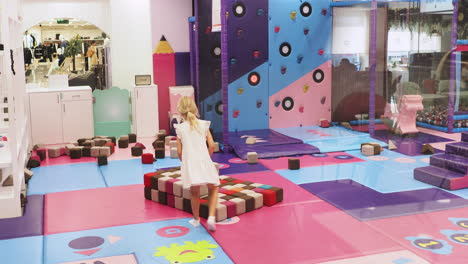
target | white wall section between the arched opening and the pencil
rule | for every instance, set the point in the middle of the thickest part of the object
(131, 41)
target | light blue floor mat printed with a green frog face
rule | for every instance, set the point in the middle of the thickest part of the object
(142, 240)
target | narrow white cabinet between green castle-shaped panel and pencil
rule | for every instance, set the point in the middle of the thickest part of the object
(145, 110)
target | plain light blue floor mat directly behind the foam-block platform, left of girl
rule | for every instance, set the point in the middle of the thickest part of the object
(126, 172)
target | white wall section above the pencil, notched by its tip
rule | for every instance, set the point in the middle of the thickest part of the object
(170, 18)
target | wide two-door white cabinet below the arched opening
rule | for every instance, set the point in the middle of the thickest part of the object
(61, 115)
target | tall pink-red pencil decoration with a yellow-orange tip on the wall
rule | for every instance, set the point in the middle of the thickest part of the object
(164, 76)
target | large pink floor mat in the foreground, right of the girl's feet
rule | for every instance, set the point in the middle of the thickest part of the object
(300, 233)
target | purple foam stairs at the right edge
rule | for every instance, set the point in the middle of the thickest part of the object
(447, 170)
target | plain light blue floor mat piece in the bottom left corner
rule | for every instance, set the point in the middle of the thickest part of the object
(25, 250)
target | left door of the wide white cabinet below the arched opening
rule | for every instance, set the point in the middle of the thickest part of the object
(46, 118)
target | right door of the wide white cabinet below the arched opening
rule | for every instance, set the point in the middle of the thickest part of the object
(77, 120)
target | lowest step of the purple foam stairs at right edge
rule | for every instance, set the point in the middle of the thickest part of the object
(439, 177)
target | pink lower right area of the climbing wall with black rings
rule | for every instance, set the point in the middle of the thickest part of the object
(304, 102)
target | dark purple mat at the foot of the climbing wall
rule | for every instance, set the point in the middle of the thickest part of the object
(270, 144)
